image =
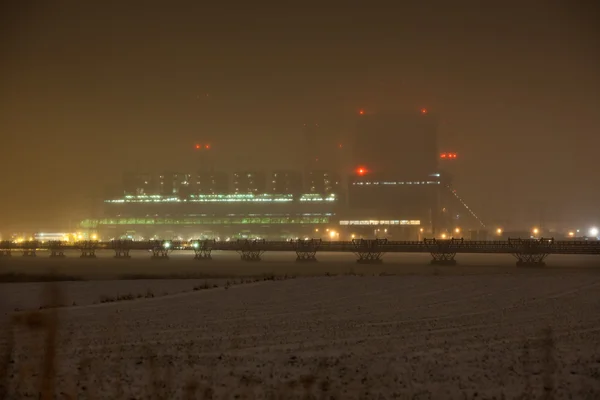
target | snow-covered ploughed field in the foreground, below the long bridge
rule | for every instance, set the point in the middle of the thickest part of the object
(436, 335)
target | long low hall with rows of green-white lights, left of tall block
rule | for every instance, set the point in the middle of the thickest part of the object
(251, 208)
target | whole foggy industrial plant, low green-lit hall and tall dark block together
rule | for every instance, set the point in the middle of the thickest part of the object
(396, 189)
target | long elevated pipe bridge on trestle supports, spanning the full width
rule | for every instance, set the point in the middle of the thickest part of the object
(367, 251)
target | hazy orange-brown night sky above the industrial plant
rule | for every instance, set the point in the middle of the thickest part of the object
(91, 89)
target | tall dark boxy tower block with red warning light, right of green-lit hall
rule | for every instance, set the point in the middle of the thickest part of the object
(396, 175)
